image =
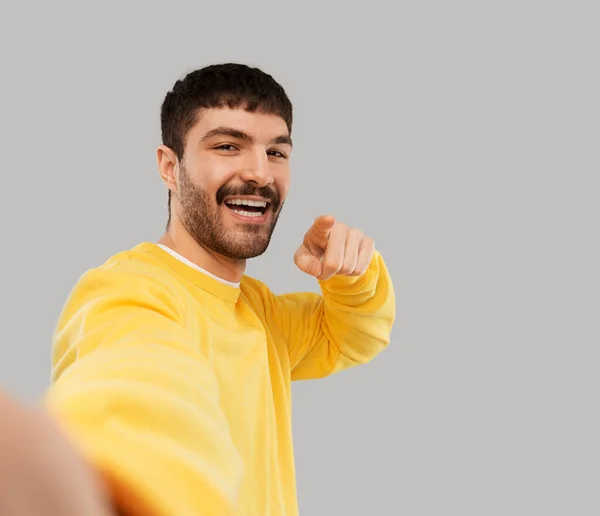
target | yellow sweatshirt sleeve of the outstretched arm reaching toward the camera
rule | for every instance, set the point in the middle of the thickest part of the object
(139, 400)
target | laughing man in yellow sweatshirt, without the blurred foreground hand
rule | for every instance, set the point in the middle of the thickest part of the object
(172, 369)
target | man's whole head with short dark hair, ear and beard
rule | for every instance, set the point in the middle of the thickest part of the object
(226, 132)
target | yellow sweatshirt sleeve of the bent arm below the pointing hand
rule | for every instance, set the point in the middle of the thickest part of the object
(348, 324)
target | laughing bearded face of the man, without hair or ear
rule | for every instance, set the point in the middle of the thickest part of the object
(234, 179)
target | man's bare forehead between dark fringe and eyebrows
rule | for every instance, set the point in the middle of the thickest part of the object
(261, 126)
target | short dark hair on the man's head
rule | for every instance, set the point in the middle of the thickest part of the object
(219, 85)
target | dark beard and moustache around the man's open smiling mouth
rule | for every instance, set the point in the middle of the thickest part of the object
(202, 217)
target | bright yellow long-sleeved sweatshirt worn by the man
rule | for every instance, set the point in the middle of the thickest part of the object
(177, 387)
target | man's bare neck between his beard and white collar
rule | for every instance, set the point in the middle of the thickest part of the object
(177, 238)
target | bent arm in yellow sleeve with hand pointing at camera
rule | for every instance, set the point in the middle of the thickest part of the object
(350, 323)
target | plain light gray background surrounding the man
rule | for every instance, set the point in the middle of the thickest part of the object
(462, 136)
